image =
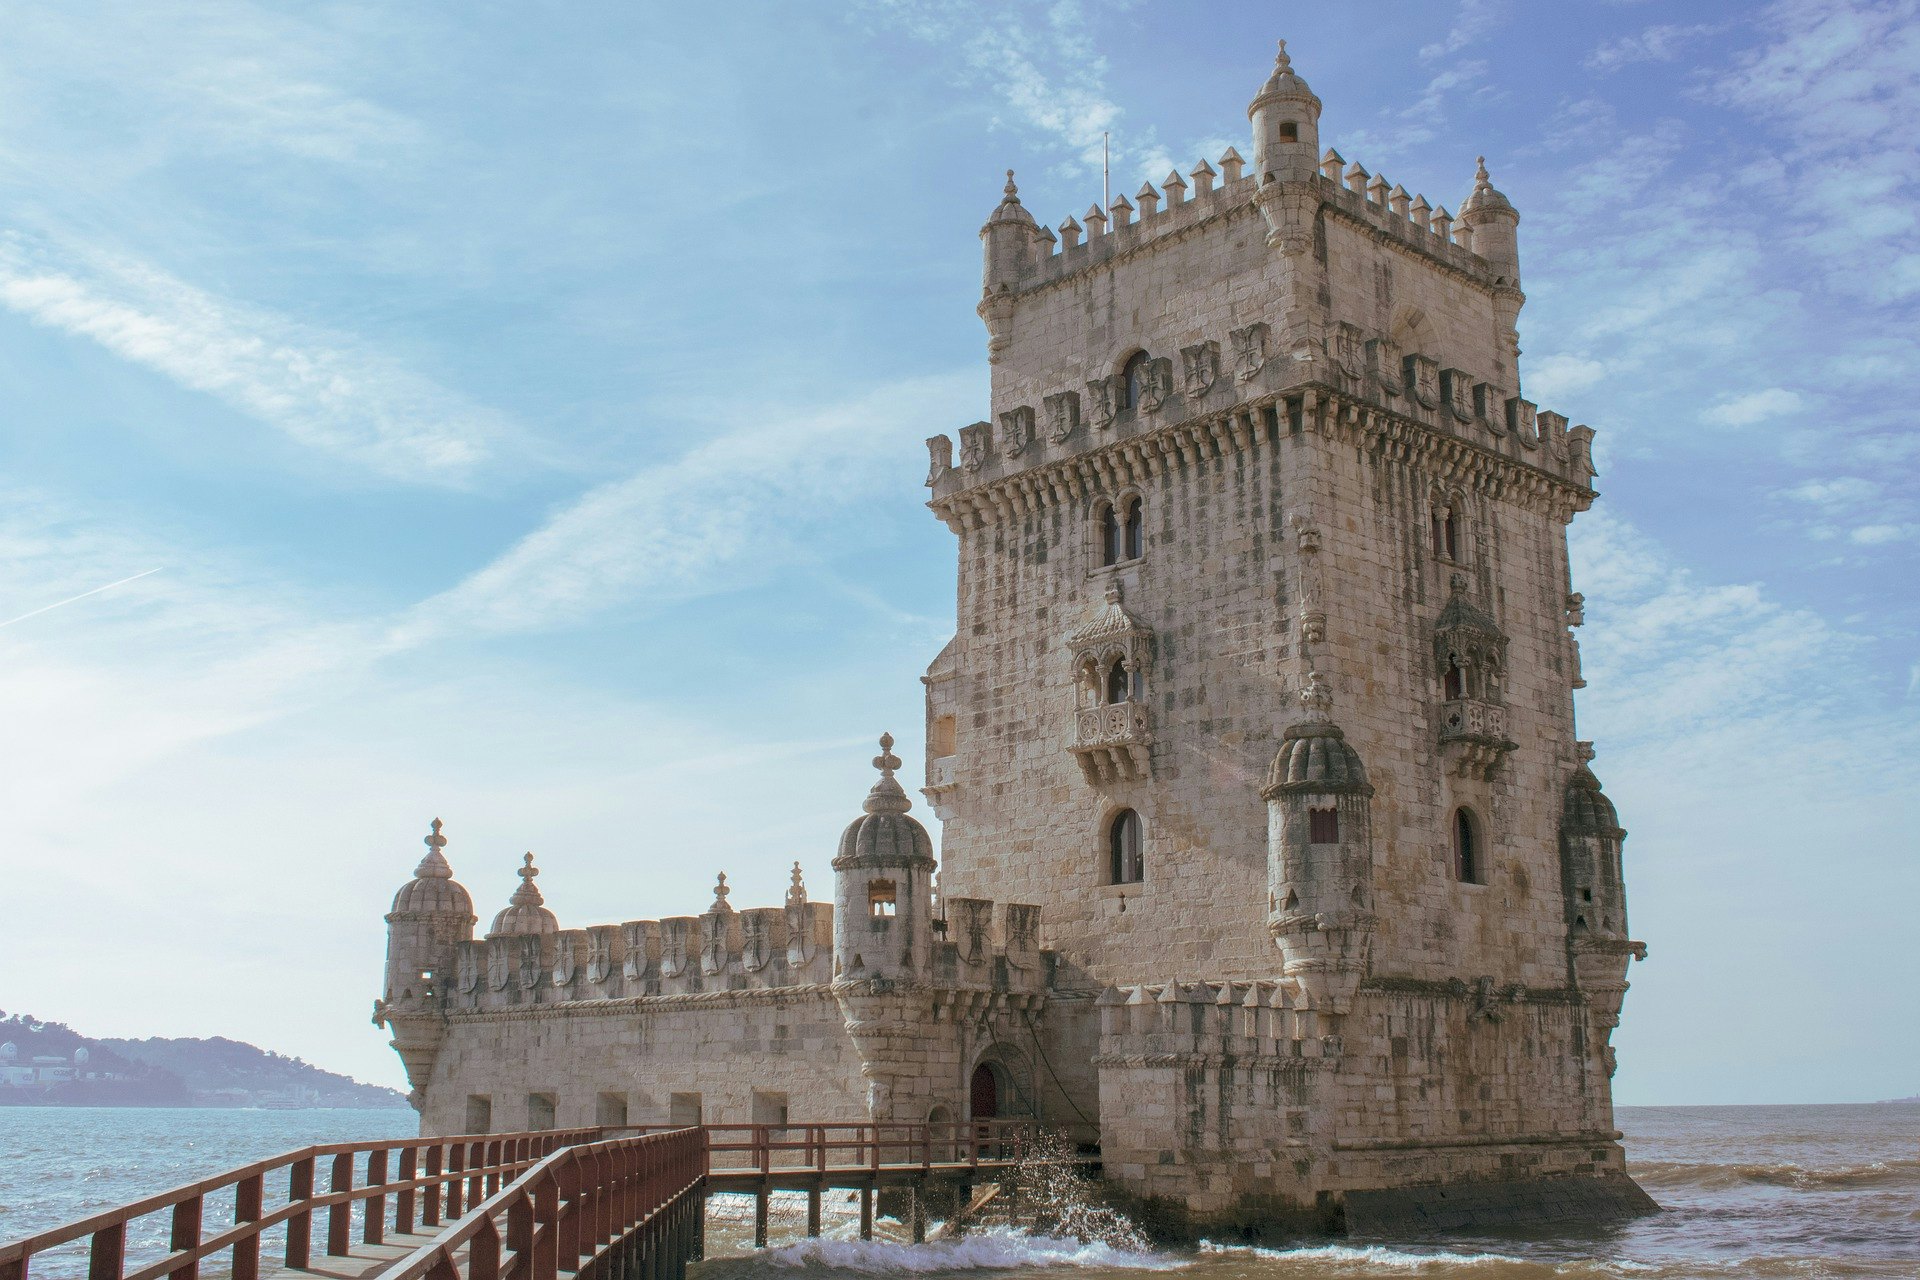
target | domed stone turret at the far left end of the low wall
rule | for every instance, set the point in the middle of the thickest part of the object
(433, 914)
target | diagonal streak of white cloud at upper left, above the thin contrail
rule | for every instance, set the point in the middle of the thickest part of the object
(327, 392)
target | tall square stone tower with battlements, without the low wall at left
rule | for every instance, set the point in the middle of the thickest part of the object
(1262, 684)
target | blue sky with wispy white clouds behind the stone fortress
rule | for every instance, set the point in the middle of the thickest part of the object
(516, 414)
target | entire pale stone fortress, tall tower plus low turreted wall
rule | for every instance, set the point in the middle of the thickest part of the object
(1270, 859)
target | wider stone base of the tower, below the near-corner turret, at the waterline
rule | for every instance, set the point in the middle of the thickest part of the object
(1236, 1112)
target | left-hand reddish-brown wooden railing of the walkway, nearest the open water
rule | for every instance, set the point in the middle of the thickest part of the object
(398, 1187)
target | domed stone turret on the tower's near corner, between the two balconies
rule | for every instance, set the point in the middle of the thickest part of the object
(1320, 857)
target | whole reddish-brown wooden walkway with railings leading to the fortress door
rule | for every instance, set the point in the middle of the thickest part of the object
(535, 1206)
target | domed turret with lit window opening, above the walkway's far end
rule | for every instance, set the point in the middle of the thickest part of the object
(884, 888)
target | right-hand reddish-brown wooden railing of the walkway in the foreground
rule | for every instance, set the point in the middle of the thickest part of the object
(612, 1210)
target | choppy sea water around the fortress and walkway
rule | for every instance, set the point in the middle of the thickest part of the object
(1829, 1191)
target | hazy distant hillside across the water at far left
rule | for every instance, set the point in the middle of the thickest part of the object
(49, 1064)
